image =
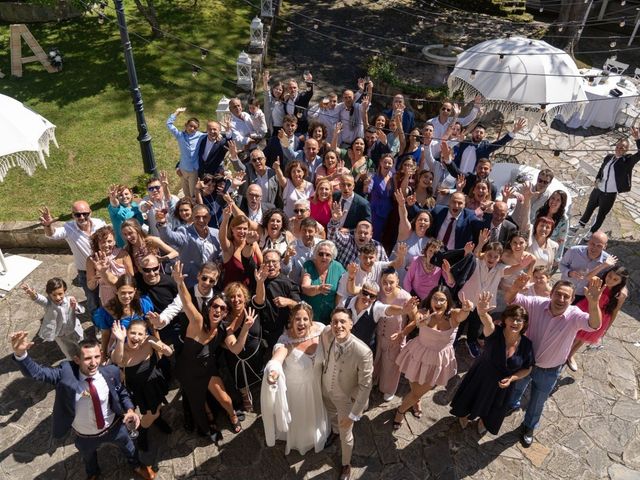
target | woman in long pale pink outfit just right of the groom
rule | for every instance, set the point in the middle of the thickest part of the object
(388, 338)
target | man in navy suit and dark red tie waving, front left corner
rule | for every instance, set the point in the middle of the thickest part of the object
(90, 399)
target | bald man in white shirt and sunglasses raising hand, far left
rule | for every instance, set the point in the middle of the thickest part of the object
(77, 233)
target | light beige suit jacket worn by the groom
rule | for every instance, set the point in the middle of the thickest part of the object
(355, 370)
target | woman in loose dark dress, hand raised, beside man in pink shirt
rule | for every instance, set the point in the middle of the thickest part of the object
(506, 358)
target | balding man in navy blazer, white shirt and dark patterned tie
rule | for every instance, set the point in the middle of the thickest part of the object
(464, 222)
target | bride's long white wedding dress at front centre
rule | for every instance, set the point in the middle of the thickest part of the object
(308, 422)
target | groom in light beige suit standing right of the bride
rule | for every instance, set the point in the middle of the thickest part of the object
(346, 381)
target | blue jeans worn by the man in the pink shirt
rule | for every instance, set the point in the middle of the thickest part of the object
(542, 382)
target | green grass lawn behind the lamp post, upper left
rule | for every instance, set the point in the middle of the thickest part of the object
(90, 103)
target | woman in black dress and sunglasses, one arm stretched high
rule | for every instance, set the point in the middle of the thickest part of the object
(196, 365)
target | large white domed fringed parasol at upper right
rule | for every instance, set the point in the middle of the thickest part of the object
(514, 72)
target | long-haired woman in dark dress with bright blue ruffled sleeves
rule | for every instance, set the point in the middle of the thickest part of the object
(127, 305)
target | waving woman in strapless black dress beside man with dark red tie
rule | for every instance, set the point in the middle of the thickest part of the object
(144, 380)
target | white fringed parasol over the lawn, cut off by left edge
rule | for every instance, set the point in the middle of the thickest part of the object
(24, 137)
